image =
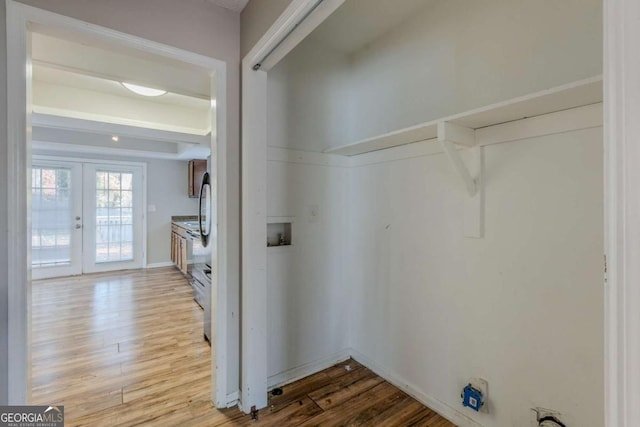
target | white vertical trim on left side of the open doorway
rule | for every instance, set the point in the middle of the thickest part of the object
(18, 181)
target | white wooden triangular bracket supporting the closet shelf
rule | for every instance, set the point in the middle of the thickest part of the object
(450, 135)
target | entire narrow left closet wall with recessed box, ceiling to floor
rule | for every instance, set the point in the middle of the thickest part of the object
(307, 303)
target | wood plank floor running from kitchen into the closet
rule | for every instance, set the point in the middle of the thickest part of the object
(127, 348)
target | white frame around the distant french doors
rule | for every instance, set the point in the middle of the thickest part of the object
(118, 163)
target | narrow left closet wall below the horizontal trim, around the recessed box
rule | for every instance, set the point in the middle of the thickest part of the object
(308, 304)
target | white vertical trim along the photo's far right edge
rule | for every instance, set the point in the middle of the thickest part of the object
(622, 213)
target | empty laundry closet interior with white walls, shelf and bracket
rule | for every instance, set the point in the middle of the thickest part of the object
(434, 204)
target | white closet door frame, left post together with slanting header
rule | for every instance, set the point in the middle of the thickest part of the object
(282, 37)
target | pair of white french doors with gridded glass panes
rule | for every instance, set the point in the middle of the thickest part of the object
(86, 217)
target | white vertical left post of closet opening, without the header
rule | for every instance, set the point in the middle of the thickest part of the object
(253, 362)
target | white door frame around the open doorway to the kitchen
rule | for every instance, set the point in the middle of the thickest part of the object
(19, 18)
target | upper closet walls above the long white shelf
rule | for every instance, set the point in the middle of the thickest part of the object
(449, 57)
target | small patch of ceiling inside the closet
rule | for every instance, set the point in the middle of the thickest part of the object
(359, 22)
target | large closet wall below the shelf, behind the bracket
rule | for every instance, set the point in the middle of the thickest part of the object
(521, 307)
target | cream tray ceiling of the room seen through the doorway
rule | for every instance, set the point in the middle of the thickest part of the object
(77, 87)
